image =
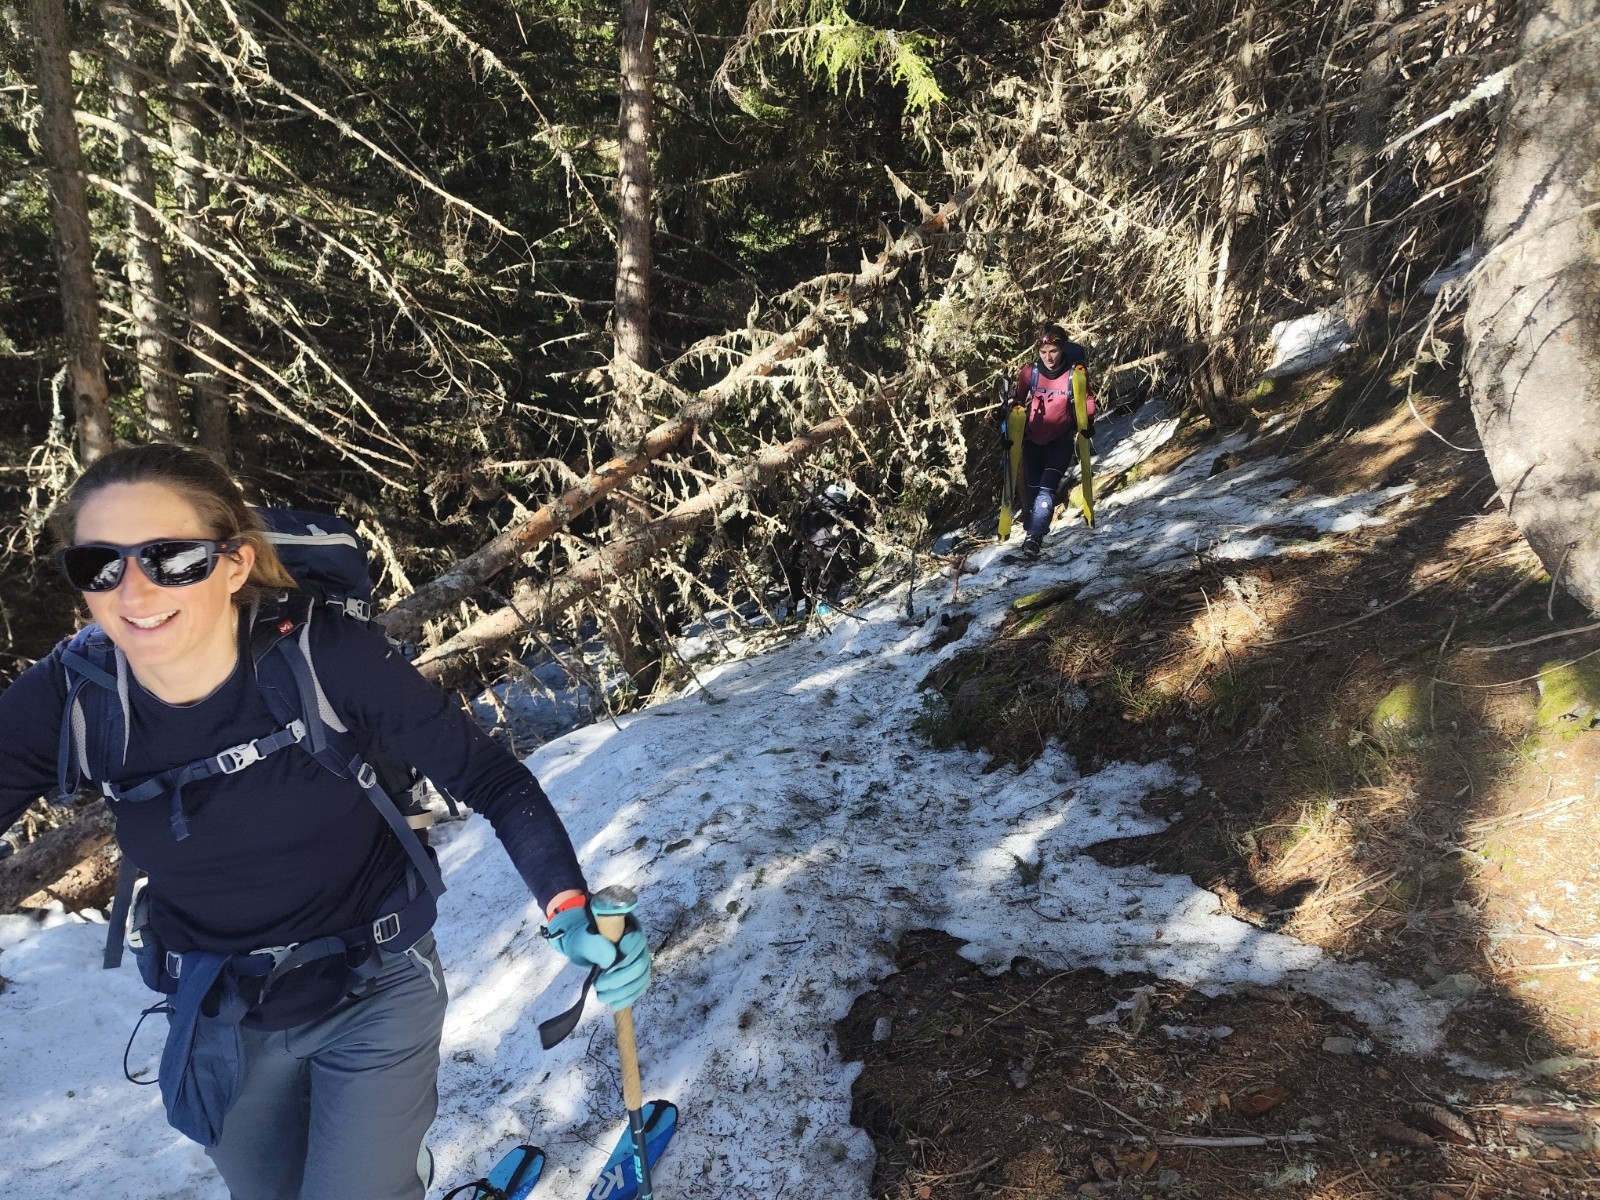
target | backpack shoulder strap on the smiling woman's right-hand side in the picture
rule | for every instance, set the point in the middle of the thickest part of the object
(287, 674)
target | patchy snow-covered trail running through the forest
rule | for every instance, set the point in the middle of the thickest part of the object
(783, 828)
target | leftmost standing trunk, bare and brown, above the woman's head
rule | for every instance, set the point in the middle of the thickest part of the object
(70, 214)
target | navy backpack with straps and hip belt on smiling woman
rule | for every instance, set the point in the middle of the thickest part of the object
(202, 1065)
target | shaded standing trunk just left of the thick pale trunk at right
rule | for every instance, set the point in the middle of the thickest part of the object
(1359, 260)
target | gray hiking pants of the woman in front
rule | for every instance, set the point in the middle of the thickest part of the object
(337, 1110)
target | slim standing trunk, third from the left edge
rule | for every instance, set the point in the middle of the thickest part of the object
(202, 282)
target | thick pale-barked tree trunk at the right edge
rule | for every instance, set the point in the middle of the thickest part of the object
(1534, 310)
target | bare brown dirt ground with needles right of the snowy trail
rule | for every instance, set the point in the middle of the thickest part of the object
(1372, 783)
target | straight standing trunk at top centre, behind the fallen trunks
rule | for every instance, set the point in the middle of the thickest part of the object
(631, 313)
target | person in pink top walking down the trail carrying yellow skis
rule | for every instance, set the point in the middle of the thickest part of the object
(1044, 391)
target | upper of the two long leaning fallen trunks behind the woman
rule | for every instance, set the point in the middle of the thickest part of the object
(406, 618)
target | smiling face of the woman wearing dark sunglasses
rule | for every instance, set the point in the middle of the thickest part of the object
(162, 628)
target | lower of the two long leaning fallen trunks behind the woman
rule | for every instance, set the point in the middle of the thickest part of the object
(538, 604)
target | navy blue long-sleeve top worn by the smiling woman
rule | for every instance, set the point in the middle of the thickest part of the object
(286, 850)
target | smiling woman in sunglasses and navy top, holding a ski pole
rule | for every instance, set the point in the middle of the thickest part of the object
(289, 905)
